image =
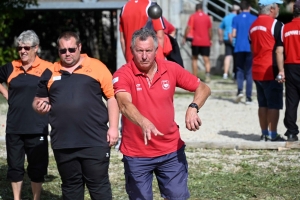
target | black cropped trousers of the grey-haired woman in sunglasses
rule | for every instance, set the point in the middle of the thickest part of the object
(35, 147)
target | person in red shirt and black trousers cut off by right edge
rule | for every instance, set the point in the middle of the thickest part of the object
(291, 42)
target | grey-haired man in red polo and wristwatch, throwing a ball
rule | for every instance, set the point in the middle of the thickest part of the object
(144, 89)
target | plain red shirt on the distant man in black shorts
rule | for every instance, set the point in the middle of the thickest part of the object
(200, 23)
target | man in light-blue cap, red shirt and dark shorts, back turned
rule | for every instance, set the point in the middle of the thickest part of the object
(267, 50)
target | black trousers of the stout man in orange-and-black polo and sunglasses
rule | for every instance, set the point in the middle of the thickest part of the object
(84, 166)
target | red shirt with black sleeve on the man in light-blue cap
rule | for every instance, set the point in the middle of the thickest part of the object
(265, 36)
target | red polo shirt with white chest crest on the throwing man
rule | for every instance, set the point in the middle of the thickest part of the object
(155, 102)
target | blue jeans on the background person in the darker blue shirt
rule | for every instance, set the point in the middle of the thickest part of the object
(244, 72)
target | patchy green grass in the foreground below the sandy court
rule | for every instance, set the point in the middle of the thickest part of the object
(213, 174)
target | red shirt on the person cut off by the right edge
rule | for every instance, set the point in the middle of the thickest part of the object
(291, 41)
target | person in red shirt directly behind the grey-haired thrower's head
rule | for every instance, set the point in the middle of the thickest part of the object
(134, 17)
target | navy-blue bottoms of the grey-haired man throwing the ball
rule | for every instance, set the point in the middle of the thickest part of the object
(171, 172)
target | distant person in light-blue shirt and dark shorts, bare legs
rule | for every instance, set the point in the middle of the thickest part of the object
(225, 36)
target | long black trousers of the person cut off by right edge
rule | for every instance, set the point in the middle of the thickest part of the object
(292, 94)
